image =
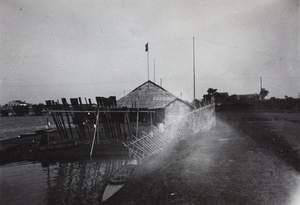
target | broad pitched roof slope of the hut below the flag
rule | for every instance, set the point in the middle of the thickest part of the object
(147, 95)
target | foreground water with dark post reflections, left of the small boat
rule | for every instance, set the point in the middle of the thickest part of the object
(78, 182)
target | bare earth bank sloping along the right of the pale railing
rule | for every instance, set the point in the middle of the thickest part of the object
(238, 162)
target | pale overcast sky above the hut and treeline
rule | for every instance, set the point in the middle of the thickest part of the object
(64, 49)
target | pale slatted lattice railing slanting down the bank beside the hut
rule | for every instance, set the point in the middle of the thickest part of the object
(158, 138)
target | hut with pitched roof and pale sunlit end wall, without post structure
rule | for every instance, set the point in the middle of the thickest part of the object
(150, 96)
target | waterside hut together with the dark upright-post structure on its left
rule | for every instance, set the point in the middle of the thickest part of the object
(114, 120)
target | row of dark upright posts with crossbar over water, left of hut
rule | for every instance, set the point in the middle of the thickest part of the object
(97, 122)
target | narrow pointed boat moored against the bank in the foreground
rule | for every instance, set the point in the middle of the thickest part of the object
(118, 180)
